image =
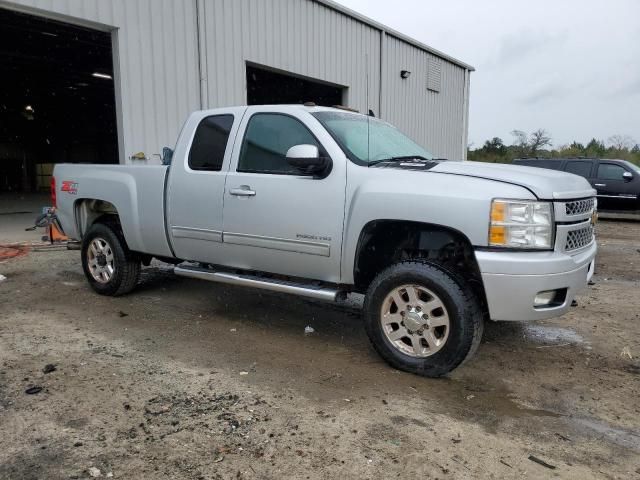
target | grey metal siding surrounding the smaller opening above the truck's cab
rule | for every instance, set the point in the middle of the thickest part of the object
(302, 37)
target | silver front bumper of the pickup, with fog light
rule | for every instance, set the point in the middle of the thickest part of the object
(513, 280)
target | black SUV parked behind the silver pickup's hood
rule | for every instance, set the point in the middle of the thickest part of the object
(616, 181)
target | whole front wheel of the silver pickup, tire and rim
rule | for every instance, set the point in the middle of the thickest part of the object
(422, 319)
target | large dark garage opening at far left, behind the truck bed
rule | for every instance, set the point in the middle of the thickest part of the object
(57, 99)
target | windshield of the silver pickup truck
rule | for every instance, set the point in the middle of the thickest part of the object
(367, 140)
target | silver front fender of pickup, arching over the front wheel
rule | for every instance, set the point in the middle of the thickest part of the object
(452, 201)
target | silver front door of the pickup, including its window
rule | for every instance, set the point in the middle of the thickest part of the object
(276, 219)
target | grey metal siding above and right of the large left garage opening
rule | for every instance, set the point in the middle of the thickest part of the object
(157, 48)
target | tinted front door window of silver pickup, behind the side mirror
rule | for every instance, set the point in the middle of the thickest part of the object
(268, 138)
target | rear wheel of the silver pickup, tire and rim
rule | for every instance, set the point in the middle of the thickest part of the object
(109, 266)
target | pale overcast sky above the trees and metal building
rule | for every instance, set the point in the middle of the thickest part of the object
(571, 67)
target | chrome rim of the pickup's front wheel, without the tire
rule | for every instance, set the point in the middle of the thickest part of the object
(415, 321)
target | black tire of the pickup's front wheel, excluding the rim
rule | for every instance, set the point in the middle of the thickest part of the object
(464, 310)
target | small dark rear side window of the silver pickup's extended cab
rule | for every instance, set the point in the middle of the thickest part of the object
(210, 143)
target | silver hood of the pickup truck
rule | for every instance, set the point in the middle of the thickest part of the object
(545, 184)
